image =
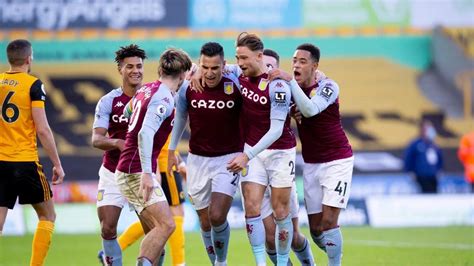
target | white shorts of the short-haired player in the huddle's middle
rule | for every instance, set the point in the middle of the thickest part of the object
(207, 175)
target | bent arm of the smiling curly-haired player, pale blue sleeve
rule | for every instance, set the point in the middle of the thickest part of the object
(100, 140)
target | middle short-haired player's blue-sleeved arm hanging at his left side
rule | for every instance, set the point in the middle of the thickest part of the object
(180, 119)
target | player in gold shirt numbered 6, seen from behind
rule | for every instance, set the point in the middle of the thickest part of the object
(23, 117)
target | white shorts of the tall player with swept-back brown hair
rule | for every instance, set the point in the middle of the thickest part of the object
(271, 167)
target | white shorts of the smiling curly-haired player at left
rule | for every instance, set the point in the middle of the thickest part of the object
(108, 192)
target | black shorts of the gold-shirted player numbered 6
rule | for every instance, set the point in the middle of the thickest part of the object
(25, 180)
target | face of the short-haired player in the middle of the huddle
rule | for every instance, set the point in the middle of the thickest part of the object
(211, 69)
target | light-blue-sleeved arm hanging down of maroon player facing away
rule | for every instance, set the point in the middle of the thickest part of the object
(157, 111)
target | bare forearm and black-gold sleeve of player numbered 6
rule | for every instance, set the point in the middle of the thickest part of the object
(45, 135)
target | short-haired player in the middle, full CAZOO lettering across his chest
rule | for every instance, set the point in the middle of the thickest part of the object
(215, 139)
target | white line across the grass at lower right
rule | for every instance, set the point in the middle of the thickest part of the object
(382, 243)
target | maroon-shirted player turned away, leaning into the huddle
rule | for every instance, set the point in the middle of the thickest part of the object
(151, 113)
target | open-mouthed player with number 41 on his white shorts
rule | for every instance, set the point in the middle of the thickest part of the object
(326, 150)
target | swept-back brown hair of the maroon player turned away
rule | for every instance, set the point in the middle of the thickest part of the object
(173, 62)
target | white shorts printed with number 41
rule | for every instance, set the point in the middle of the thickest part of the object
(327, 184)
